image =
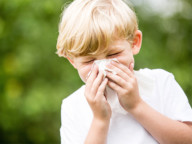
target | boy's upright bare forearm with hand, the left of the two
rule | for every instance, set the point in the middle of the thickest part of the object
(94, 93)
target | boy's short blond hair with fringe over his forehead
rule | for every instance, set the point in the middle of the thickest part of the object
(87, 27)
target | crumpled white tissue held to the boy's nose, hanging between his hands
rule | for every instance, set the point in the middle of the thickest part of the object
(111, 95)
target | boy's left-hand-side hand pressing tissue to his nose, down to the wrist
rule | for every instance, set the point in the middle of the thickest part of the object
(94, 93)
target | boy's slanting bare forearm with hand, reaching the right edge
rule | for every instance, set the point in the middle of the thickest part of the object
(162, 128)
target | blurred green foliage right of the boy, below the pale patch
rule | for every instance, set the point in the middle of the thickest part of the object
(167, 43)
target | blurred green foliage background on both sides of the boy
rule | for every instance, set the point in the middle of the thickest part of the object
(34, 80)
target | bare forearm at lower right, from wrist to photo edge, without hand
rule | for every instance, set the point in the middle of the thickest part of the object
(162, 128)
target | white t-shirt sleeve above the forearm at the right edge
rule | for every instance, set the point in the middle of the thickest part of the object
(177, 106)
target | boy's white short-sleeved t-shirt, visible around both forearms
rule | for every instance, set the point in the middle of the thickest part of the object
(157, 87)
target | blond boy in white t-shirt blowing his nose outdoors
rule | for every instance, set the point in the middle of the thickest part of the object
(157, 110)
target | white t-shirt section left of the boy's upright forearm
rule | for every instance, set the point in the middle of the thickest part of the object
(75, 117)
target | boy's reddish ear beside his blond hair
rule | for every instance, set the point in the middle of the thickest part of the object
(137, 42)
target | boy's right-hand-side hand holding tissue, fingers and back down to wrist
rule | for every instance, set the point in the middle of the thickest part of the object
(125, 84)
